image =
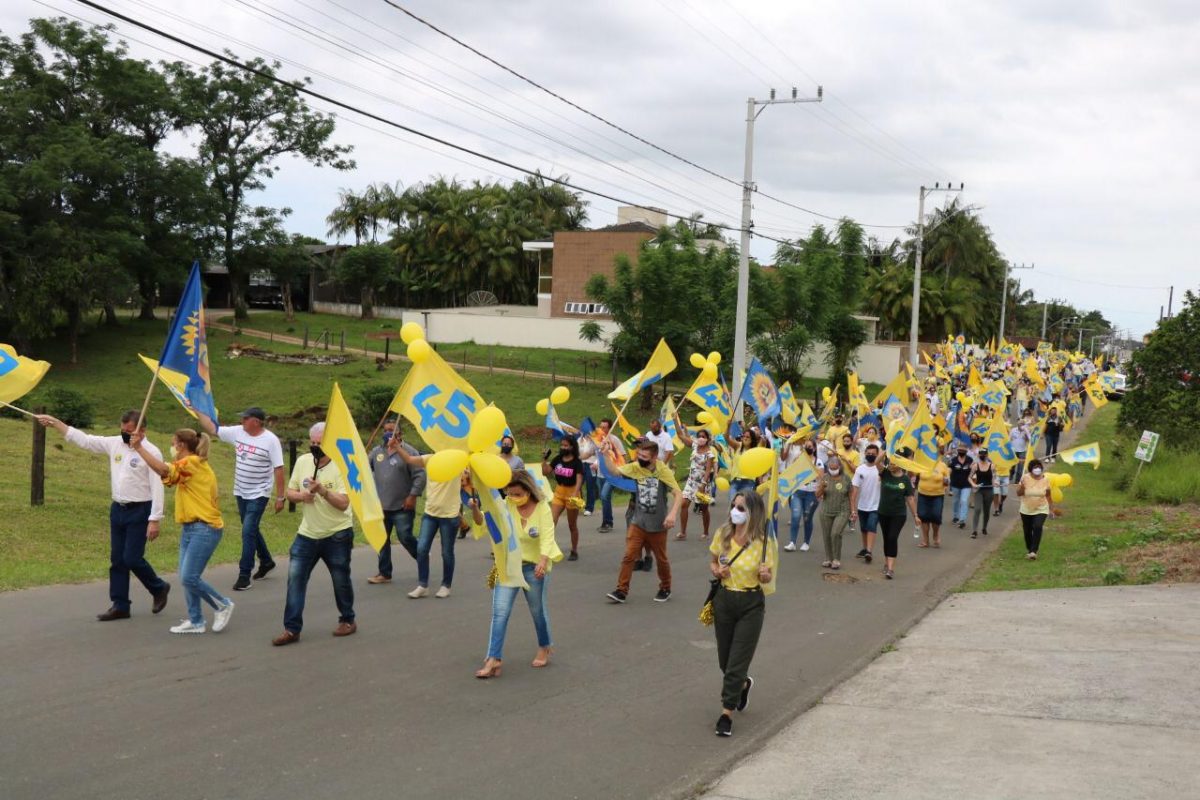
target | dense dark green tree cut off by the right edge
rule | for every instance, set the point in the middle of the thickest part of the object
(1166, 380)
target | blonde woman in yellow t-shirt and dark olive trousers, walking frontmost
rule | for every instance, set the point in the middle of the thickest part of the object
(745, 560)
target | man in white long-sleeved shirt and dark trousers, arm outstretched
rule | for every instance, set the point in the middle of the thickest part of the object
(135, 515)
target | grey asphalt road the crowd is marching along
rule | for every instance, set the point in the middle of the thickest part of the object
(626, 709)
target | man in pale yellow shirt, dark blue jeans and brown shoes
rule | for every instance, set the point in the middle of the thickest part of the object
(326, 534)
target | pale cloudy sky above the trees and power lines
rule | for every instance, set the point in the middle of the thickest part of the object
(1071, 124)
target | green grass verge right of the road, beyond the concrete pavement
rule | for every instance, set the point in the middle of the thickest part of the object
(1105, 536)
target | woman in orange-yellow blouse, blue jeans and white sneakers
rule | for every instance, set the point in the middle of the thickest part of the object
(200, 519)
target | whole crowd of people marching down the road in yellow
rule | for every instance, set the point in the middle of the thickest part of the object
(964, 432)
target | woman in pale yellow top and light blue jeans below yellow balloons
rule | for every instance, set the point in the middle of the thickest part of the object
(539, 551)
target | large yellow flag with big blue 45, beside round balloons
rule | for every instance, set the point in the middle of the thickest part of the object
(439, 402)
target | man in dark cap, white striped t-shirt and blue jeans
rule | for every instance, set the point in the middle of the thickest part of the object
(257, 468)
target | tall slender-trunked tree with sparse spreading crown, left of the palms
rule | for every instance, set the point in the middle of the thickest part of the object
(248, 121)
